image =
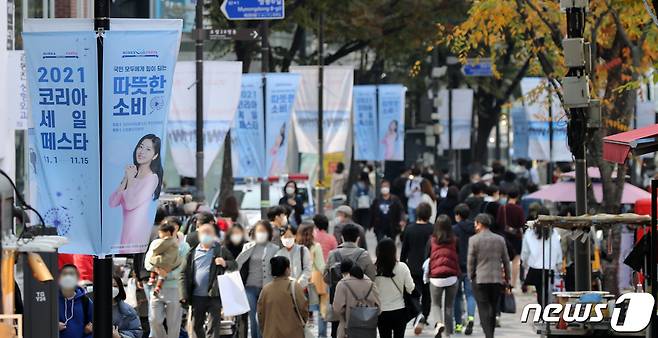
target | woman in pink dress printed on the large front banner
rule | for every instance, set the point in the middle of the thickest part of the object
(140, 186)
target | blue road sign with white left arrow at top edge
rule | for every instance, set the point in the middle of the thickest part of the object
(253, 9)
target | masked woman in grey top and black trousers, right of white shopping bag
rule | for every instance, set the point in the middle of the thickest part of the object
(255, 269)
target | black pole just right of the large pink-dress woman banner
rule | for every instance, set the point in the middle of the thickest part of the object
(199, 102)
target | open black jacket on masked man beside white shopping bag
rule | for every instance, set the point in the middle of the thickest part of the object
(187, 275)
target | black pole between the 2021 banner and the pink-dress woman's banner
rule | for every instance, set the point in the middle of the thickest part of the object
(102, 324)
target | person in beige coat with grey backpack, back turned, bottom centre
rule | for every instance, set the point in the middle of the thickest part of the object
(356, 303)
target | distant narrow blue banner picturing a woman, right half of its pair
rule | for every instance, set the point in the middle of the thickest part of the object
(391, 122)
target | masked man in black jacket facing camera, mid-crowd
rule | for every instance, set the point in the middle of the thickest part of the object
(386, 213)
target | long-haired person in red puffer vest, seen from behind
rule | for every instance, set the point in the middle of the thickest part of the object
(444, 273)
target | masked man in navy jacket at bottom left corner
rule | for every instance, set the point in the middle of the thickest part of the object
(75, 308)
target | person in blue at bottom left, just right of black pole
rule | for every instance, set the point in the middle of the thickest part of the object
(125, 322)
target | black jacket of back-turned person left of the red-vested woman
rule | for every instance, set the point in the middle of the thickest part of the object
(414, 246)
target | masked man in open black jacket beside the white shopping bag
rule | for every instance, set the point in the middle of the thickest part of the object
(198, 282)
